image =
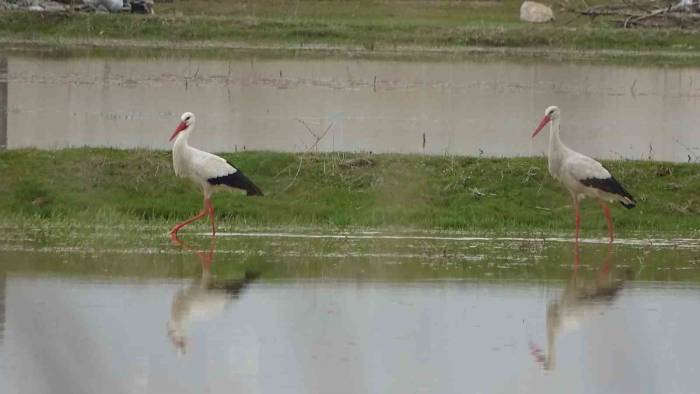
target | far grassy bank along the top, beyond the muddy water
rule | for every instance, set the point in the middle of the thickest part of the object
(363, 25)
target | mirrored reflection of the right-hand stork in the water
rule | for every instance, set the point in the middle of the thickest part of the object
(583, 299)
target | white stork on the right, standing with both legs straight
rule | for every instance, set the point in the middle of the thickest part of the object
(581, 175)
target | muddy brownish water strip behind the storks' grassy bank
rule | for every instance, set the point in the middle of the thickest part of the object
(462, 107)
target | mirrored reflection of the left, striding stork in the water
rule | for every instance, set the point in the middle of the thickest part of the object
(204, 299)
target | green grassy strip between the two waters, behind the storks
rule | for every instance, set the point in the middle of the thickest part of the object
(338, 191)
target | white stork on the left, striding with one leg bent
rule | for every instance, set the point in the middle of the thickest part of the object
(209, 171)
